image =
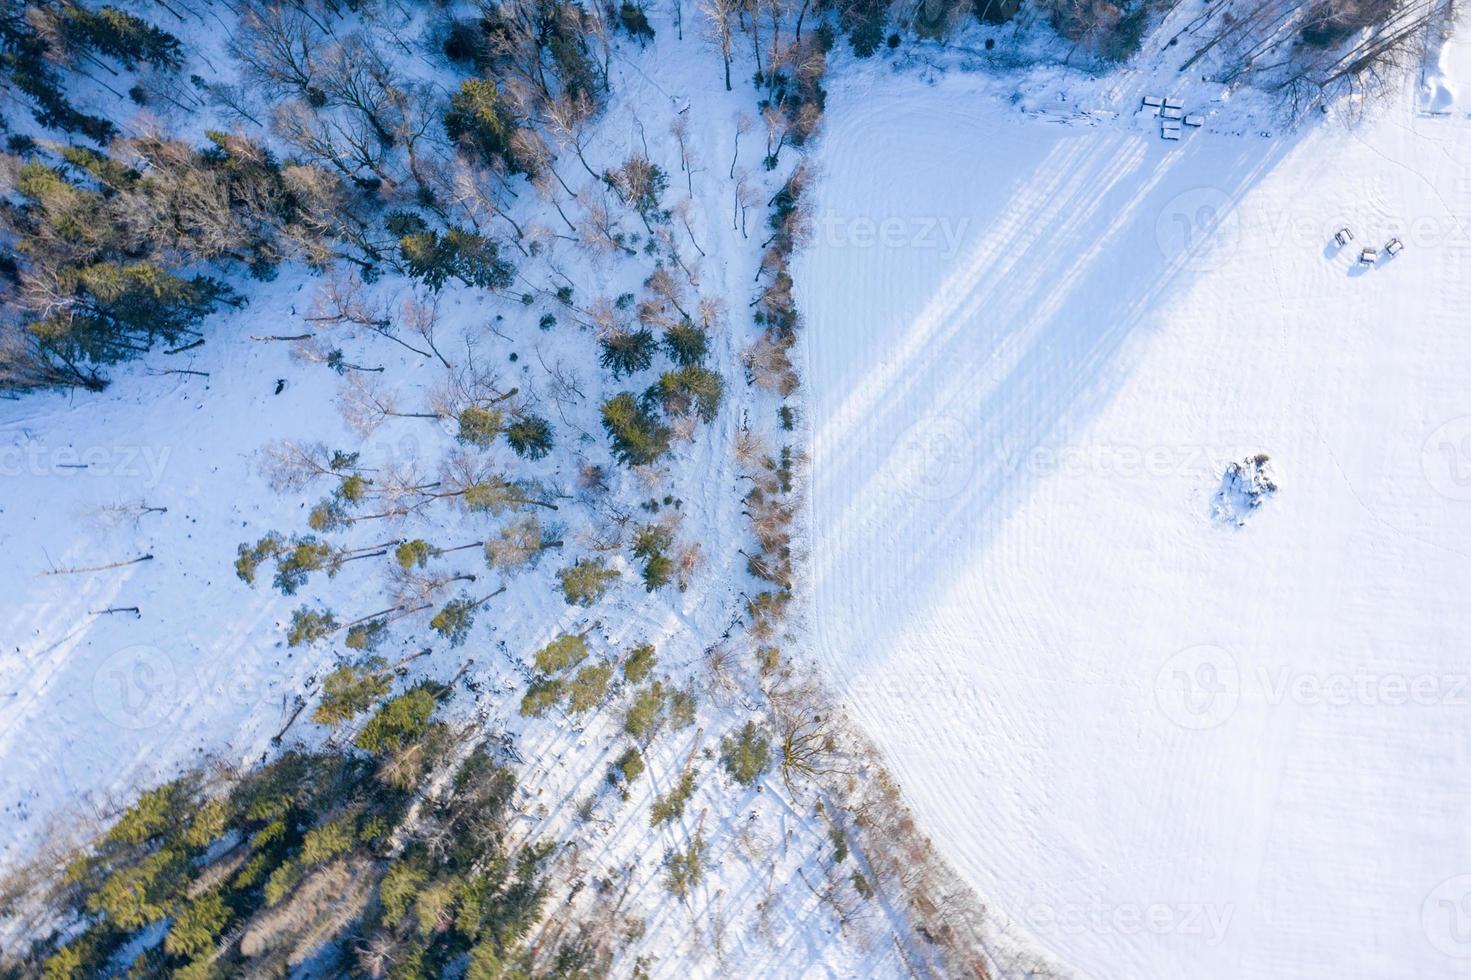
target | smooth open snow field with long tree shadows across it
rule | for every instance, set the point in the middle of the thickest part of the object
(1163, 742)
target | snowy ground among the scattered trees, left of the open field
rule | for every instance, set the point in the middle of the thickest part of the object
(99, 703)
